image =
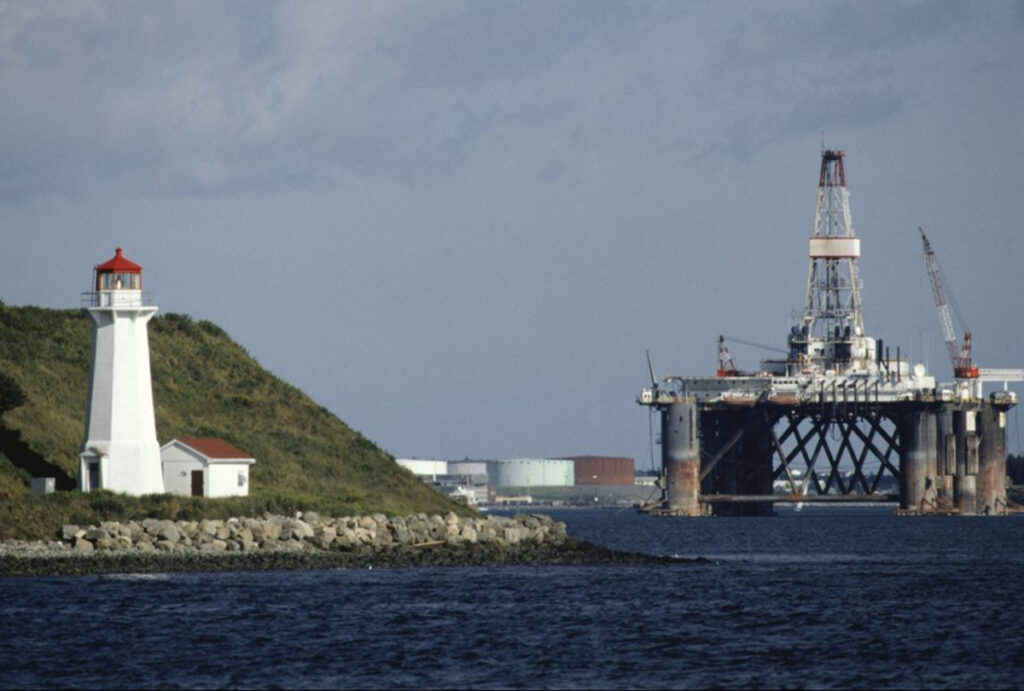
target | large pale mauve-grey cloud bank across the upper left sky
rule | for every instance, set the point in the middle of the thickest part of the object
(167, 97)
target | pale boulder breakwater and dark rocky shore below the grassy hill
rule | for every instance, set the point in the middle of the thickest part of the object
(304, 541)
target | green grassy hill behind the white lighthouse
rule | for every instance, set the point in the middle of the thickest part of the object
(204, 385)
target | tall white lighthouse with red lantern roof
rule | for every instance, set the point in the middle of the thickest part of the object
(120, 451)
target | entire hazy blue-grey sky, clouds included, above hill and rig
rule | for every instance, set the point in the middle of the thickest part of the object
(460, 226)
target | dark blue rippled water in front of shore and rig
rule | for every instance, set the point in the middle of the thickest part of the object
(820, 598)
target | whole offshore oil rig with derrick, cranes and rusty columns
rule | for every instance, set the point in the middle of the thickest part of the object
(838, 414)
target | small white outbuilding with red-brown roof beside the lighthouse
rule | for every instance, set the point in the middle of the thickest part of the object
(205, 467)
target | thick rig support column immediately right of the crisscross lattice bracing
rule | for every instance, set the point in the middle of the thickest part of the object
(919, 465)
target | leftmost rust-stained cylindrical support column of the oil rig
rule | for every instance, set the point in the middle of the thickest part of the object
(681, 457)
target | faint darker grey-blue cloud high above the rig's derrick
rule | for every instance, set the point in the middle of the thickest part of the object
(779, 75)
